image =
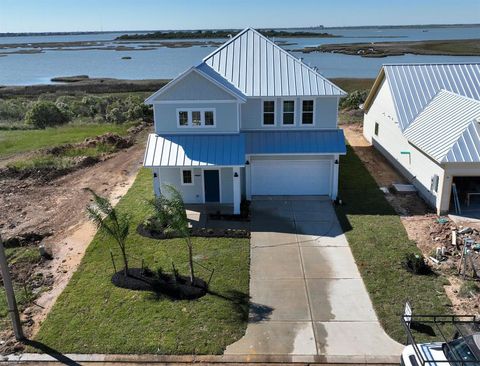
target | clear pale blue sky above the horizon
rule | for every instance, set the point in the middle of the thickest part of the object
(112, 15)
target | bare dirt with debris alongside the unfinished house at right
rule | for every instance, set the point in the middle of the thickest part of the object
(419, 221)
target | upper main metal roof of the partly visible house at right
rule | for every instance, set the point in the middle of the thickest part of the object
(414, 85)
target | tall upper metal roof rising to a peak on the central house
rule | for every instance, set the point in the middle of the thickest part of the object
(258, 67)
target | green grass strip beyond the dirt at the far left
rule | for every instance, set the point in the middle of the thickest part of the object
(28, 140)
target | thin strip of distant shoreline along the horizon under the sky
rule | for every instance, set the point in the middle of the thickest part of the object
(34, 34)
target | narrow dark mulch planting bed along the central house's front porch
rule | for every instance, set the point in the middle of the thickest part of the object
(195, 232)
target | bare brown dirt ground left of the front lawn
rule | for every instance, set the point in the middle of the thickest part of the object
(57, 207)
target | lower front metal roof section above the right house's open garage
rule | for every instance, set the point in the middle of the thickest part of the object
(448, 129)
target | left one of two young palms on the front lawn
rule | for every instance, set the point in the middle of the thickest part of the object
(111, 222)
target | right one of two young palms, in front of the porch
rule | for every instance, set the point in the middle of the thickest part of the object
(176, 221)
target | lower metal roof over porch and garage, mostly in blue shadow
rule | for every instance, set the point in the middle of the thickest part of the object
(189, 150)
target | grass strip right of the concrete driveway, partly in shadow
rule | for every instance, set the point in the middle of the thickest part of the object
(379, 243)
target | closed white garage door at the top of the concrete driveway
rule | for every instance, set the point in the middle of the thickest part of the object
(291, 177)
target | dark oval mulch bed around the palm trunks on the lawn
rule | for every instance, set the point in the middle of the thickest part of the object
(174, 287)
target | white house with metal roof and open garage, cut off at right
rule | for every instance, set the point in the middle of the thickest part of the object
(425, 119)
